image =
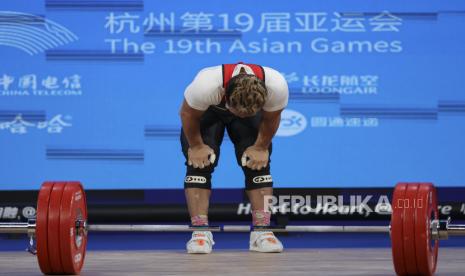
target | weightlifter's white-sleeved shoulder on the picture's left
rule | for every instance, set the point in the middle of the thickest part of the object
(206, 88)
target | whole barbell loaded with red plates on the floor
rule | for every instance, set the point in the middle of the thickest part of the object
(60, 228)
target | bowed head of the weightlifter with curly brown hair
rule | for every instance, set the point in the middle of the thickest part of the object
(245, 94)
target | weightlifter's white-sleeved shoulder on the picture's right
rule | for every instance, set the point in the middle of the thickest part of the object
(278, 91)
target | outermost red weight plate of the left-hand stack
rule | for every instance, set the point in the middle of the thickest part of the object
(42, 226)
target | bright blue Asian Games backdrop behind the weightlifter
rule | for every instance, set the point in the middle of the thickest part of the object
(90, 90)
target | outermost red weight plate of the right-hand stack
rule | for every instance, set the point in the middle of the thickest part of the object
(426, 250)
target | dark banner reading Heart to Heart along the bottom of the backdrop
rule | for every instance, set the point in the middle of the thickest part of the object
(231, 204)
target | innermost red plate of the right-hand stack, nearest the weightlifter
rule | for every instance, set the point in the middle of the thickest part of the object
(397, 224)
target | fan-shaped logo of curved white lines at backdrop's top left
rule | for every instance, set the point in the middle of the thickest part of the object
(31, 33)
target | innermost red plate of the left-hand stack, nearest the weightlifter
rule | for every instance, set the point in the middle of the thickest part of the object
(73, 241)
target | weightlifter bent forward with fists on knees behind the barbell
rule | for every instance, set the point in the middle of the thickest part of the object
(246, 100)
